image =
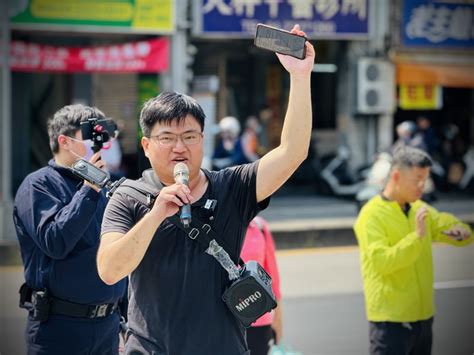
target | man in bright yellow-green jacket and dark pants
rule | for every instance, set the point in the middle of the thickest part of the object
(395, 230)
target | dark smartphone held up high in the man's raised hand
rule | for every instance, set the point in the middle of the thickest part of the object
(280, 41)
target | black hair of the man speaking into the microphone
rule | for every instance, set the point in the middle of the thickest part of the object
(167, 107)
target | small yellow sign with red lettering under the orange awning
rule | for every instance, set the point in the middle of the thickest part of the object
(420, 97)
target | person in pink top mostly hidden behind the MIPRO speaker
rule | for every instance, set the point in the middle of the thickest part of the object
(259, 246)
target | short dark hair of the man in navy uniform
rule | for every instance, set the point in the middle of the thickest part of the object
(67, 121)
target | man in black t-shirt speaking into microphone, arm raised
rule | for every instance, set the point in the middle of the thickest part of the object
(175, 304)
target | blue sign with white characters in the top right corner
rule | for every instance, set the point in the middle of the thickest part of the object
(431, 23)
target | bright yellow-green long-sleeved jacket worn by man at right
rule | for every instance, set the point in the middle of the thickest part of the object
(397, 266)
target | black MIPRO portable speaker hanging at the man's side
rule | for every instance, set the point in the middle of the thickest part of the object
(251, 295)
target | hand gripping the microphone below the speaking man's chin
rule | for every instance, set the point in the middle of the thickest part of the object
(170, 199)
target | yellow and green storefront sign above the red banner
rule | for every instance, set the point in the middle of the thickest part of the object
(144, 16)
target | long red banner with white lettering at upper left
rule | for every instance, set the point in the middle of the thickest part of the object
(145, 57)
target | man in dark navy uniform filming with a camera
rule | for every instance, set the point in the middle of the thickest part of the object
(57, 218)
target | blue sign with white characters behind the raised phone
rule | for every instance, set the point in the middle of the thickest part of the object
(338, 19)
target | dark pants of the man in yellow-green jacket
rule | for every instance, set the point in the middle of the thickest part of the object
(389, 338)
